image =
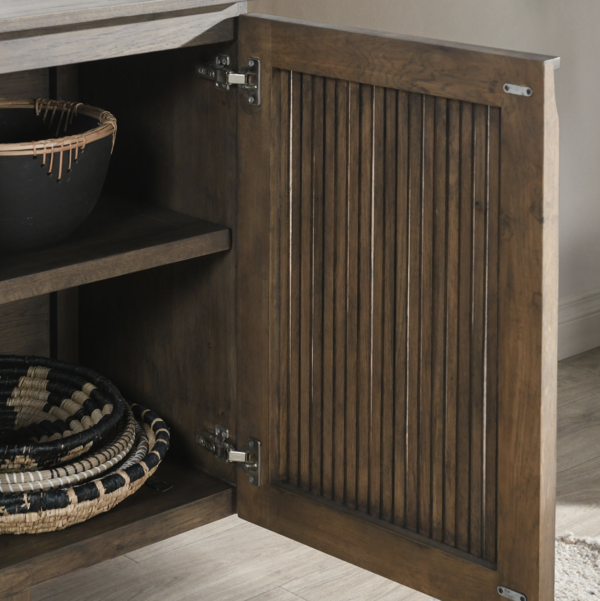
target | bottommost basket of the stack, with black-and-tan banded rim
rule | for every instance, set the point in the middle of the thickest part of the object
(31, 513)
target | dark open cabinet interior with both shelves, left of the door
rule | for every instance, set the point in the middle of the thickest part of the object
(154, 308)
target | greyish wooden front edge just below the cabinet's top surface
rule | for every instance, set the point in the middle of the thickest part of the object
(118, 38)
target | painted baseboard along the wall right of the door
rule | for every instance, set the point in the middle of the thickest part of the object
(578, 323)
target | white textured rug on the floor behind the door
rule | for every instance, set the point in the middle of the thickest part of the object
(577, 569)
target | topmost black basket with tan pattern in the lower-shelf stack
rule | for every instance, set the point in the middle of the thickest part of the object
(35, 393)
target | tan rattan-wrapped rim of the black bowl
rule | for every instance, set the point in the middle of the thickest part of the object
(107, 126)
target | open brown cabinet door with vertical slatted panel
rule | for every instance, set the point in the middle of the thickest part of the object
(397, 305)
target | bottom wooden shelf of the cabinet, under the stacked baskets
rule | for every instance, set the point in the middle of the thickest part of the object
(145, 518)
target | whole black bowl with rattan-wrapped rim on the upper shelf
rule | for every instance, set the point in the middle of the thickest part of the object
(49, 186)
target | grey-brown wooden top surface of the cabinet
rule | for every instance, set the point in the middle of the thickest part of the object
(16, 15)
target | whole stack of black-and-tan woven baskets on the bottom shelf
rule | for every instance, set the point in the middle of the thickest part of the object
(70, 446)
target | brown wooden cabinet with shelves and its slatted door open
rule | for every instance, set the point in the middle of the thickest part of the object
(377, 304)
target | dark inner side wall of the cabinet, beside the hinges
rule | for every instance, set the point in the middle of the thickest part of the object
(176, 324)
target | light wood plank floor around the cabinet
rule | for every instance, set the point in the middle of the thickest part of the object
(232, 560)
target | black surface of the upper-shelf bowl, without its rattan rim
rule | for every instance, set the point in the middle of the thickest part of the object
(37, 208)
